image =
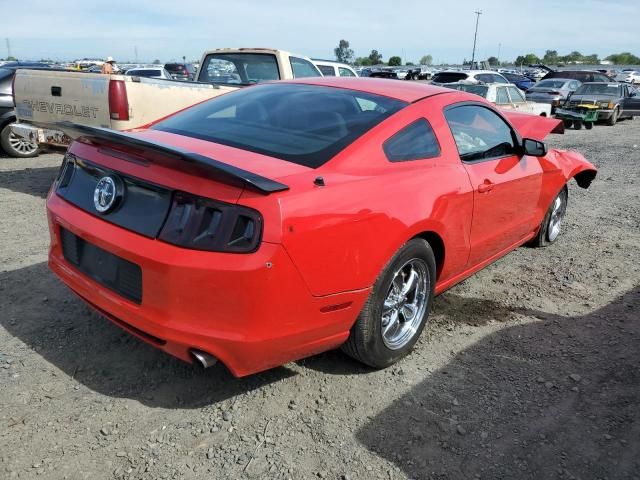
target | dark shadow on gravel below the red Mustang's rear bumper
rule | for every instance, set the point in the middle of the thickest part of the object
(39, 310)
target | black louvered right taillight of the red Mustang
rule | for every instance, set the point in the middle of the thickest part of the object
(204, 224)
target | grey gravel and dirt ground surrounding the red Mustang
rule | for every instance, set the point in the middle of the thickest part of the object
(530, 369)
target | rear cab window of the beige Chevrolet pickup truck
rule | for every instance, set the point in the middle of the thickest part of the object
(239, 68)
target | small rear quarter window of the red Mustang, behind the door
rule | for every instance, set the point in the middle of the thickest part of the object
(412, 143)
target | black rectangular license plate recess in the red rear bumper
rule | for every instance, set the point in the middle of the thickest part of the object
(115, 273)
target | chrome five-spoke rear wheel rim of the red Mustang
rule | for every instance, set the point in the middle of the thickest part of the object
(405, 304)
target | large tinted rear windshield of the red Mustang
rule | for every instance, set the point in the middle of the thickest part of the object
(303, 124)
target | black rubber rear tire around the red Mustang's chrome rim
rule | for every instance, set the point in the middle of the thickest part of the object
(366, 343)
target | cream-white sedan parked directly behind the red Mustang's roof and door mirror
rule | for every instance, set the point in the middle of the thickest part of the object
(505, 97)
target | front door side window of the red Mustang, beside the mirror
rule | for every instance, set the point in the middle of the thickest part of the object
(480, 133)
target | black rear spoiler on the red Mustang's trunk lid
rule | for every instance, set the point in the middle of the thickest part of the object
(219, 170)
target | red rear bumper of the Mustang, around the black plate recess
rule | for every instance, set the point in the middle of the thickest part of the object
(252, 312)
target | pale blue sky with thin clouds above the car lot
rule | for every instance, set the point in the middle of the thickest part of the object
(167, 30)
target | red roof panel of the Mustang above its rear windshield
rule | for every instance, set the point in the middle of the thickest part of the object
(398, 89)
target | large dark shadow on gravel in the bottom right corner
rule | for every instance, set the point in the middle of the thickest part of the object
(558, 398)
